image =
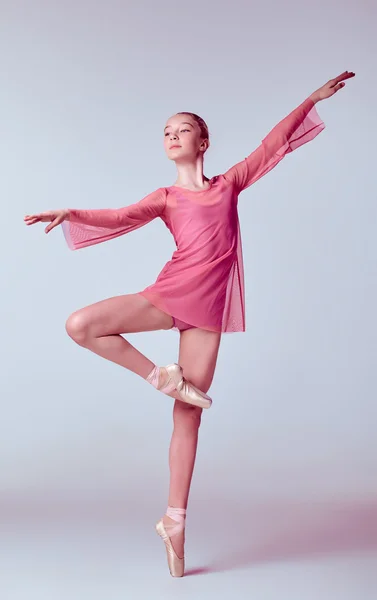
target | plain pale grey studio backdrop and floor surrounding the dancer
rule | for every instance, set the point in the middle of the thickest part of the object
(284, 491)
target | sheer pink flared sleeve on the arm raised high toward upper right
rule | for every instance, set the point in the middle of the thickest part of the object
(301, 126)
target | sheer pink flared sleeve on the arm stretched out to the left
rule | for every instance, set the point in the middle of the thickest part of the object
(89, 227)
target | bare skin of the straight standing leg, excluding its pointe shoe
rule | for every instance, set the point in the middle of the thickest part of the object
(198, 356)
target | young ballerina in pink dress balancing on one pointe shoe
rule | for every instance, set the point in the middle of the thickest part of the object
(199, 292)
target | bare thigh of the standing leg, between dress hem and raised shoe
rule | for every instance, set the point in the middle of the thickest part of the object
(198, 351)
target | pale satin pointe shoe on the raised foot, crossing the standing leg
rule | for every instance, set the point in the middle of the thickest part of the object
(186, 391)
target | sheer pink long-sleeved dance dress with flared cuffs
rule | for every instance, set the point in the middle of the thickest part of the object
(203, 283)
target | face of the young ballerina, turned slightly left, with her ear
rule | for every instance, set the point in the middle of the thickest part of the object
(182, 139)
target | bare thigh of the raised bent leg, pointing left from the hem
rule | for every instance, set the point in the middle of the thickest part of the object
(130, 313)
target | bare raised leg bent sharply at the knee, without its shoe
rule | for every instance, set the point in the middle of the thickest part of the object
(98, 327)
